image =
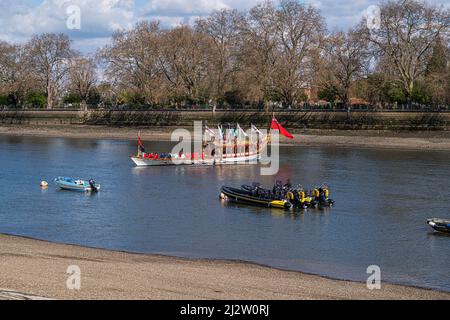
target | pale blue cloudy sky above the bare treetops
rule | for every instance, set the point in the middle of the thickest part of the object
(20, 19)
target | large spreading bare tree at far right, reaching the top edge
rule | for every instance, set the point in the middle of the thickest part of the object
(408, 30)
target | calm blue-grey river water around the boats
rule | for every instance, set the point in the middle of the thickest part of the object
(383, 198)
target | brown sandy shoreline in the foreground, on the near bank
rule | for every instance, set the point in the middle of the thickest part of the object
(33, 269)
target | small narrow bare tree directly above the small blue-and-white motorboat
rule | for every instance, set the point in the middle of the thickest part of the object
(83, 76)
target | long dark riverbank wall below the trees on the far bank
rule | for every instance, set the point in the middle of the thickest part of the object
(357, 120)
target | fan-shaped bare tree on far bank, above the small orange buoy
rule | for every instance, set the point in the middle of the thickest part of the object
(49, 55)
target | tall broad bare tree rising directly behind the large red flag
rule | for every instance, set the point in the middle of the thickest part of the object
(281, 42)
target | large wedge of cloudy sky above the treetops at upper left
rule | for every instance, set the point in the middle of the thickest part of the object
(20, 19)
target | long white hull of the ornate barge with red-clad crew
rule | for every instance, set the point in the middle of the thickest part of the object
(142, 162)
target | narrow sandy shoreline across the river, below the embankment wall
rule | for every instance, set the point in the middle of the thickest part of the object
(431, 140)
